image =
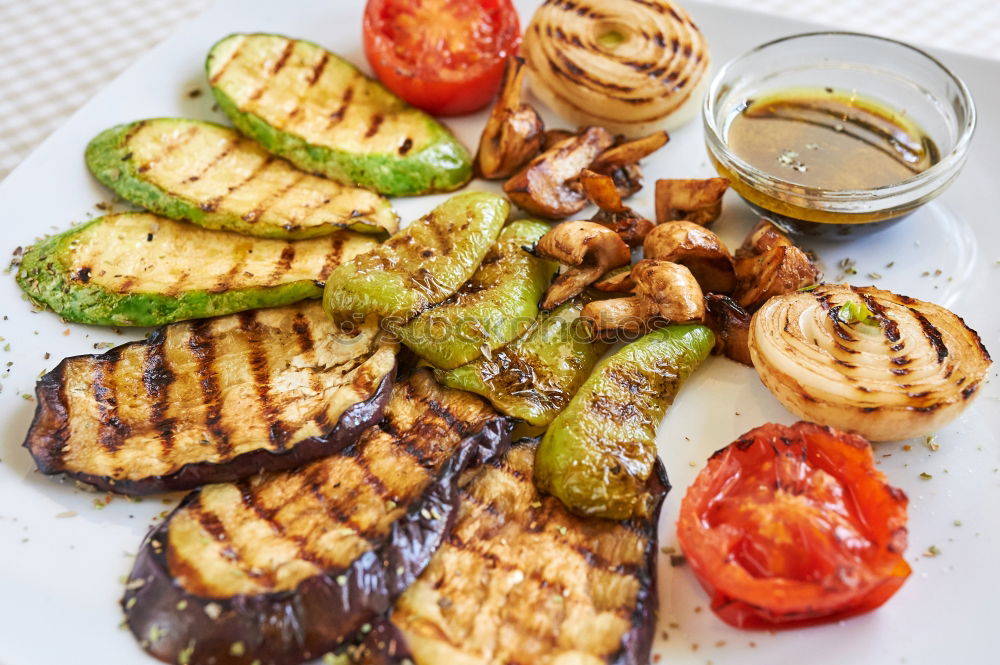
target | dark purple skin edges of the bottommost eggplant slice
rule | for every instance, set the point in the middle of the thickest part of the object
(386, 644)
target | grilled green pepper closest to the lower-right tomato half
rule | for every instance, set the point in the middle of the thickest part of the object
(598, 453)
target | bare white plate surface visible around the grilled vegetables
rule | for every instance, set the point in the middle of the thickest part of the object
(59, 574)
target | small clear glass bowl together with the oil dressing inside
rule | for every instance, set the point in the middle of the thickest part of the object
(837, 134)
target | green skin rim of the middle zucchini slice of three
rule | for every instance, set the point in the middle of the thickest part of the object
(109, 157)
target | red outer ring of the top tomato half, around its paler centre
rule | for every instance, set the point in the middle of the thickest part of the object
(457, 94)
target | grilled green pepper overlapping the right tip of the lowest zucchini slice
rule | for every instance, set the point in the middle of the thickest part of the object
(420, 266)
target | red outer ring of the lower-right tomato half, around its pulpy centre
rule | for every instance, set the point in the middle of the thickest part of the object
(745, 600)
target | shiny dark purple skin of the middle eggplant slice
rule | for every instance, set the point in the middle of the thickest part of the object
(323, 612)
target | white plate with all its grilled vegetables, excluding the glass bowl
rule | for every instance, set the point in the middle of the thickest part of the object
(298, 372)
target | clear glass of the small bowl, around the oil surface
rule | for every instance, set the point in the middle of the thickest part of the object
(897, 75)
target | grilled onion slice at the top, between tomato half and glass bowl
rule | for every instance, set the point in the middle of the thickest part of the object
(632, 67)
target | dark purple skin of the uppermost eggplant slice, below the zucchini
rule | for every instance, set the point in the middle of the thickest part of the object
(50, 408)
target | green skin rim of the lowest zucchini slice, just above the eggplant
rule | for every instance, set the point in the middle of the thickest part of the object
(46, 277)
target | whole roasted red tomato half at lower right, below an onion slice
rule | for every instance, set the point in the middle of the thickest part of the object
(790, 526)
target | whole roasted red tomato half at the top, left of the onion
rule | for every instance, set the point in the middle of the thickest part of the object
(443, 56)
